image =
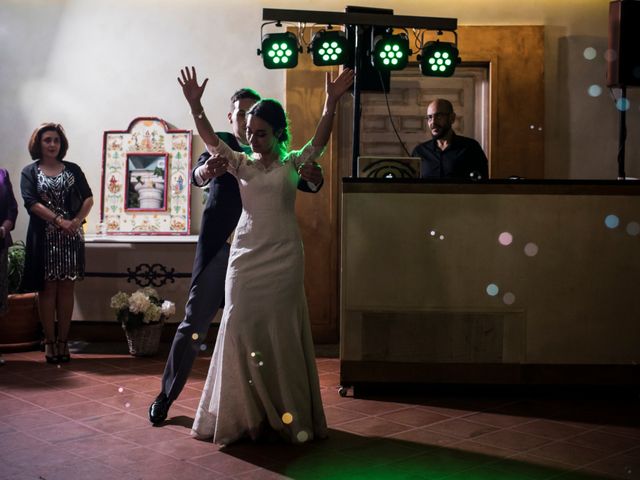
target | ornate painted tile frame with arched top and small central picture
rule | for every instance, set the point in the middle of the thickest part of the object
(146, 188)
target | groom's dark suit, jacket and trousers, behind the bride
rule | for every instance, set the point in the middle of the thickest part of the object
(206, 293)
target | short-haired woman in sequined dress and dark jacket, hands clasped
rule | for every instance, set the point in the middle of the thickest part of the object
(58, 198)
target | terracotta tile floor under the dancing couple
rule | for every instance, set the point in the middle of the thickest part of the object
(88, 420)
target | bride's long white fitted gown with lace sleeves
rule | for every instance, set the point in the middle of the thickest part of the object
(263, 376)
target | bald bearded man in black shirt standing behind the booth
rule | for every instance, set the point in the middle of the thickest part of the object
(448, 155)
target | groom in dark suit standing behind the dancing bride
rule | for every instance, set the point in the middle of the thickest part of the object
(219, 219)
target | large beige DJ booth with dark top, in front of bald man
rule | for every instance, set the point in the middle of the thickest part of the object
(498, 282)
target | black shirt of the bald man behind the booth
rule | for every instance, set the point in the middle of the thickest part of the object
(462, 159)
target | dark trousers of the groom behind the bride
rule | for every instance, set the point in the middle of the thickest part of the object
(205, 296)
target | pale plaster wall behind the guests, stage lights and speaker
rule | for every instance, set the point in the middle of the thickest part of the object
(94, 65)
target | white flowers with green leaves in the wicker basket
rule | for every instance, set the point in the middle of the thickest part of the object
(142, 307)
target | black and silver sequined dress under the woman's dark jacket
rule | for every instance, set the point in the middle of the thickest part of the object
(63, 253)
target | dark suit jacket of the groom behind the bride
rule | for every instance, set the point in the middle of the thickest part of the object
(222, 209)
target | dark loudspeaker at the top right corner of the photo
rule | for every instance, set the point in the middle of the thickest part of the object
(623, 57)
